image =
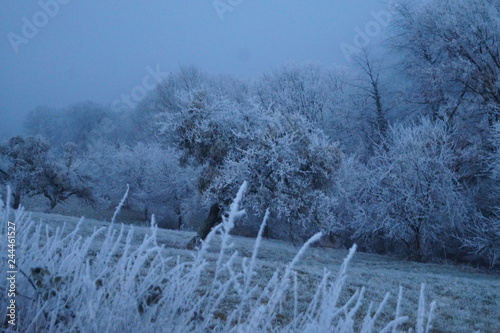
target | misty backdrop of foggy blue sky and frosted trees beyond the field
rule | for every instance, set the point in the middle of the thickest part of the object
(377, 124)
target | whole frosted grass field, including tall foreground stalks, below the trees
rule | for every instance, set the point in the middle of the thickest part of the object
(133, 267)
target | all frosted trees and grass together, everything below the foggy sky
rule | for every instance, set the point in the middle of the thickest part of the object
(399, 155)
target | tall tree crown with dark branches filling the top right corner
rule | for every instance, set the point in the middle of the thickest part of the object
(451, 54)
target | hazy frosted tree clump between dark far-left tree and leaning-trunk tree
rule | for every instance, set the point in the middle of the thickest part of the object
(157, 184)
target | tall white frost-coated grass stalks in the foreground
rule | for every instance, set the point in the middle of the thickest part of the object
(68, 284)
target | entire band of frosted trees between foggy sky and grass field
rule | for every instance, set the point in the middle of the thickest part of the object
(399, 156)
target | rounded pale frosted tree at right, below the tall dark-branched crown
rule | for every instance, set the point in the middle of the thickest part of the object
(411, 196)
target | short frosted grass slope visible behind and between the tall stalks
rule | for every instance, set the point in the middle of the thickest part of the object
(468, 300)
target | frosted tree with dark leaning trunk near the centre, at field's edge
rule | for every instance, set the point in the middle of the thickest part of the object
(205, 129)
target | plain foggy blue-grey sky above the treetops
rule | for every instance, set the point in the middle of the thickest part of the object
(58, 52)
